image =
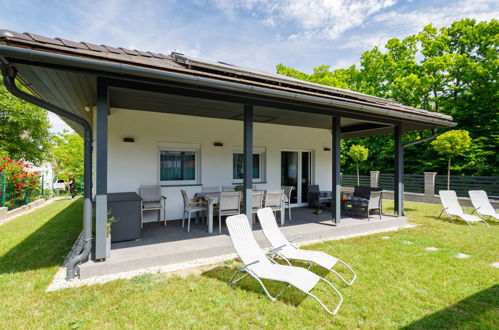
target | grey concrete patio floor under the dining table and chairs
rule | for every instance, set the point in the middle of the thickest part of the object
(172, 244)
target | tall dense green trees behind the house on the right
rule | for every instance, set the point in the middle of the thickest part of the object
(452, 70)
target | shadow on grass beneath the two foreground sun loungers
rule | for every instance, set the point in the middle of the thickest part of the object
(291, 296)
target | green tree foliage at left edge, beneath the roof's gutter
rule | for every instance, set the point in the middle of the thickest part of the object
(24, 128)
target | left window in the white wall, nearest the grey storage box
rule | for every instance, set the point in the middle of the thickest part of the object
(178, 167)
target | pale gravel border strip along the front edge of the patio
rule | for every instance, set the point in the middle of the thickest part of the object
(184, 268)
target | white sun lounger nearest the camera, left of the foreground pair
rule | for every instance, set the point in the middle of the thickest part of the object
(259, 266)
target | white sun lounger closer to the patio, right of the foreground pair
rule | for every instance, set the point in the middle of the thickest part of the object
(289, 251)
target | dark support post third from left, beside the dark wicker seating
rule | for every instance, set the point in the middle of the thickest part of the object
(336, 182)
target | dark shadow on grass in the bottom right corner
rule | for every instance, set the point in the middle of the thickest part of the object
(465, 314)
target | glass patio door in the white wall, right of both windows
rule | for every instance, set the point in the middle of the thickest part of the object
(295, 171)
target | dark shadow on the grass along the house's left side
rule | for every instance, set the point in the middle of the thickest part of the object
(49, 245)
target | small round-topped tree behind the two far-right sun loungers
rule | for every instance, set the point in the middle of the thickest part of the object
(452, 143)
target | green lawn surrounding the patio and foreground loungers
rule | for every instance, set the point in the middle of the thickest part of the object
(399, 284)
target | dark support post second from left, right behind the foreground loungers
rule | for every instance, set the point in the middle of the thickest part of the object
(248, 160)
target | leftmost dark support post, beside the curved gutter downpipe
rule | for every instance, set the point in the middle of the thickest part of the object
(101, 171)
